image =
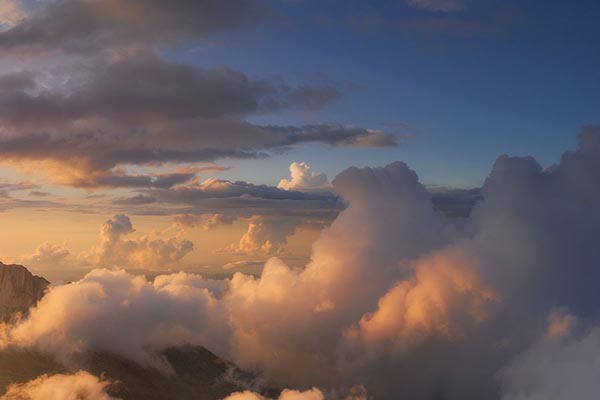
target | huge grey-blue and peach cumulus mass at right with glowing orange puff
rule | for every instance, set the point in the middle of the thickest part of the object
(395, 287)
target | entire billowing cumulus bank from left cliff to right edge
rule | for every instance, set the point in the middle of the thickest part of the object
(397, 297)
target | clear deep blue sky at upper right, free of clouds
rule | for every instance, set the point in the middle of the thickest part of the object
(519, 78)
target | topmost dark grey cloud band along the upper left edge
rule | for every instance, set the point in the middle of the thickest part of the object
(78, 26)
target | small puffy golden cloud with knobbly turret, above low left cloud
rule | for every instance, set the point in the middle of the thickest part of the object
(143, 252)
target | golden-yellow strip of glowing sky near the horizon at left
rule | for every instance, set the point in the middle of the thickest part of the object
(79, 233)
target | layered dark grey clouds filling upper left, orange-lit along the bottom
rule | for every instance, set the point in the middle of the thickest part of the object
(106, 101)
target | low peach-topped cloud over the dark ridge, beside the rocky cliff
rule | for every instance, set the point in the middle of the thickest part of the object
(124, 314)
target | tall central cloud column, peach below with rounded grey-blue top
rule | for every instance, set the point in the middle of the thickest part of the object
(302, 313)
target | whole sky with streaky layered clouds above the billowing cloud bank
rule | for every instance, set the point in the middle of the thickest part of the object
(126, 109)
